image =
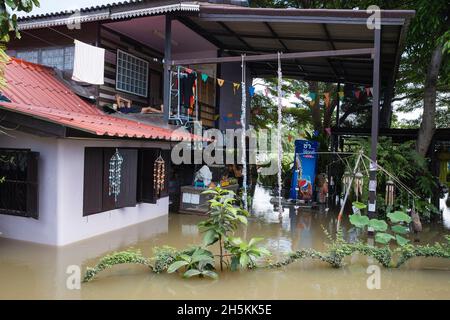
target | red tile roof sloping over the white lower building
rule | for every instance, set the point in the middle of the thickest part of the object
(35, 90)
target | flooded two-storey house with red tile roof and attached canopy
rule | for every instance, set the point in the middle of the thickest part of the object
(163, 65)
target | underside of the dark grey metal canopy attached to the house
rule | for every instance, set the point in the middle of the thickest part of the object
(236, 30)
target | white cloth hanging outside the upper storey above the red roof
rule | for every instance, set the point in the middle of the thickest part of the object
(89, 64)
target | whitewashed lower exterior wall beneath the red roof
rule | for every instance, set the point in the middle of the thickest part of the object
(61, 175)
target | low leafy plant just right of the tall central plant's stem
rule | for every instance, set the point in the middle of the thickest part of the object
(245, 254)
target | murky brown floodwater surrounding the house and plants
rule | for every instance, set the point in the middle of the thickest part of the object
(30, 271)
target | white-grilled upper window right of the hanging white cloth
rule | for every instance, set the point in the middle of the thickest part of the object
(131, 74)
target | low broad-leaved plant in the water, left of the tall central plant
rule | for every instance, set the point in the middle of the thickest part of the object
(196, 261)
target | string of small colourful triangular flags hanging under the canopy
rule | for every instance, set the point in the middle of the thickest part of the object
(327, 96)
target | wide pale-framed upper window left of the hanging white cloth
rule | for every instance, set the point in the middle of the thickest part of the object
(56, 57)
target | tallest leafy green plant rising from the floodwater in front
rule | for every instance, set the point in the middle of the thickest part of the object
(224, 219)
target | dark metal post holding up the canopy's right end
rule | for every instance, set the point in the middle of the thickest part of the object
(372, 211)
